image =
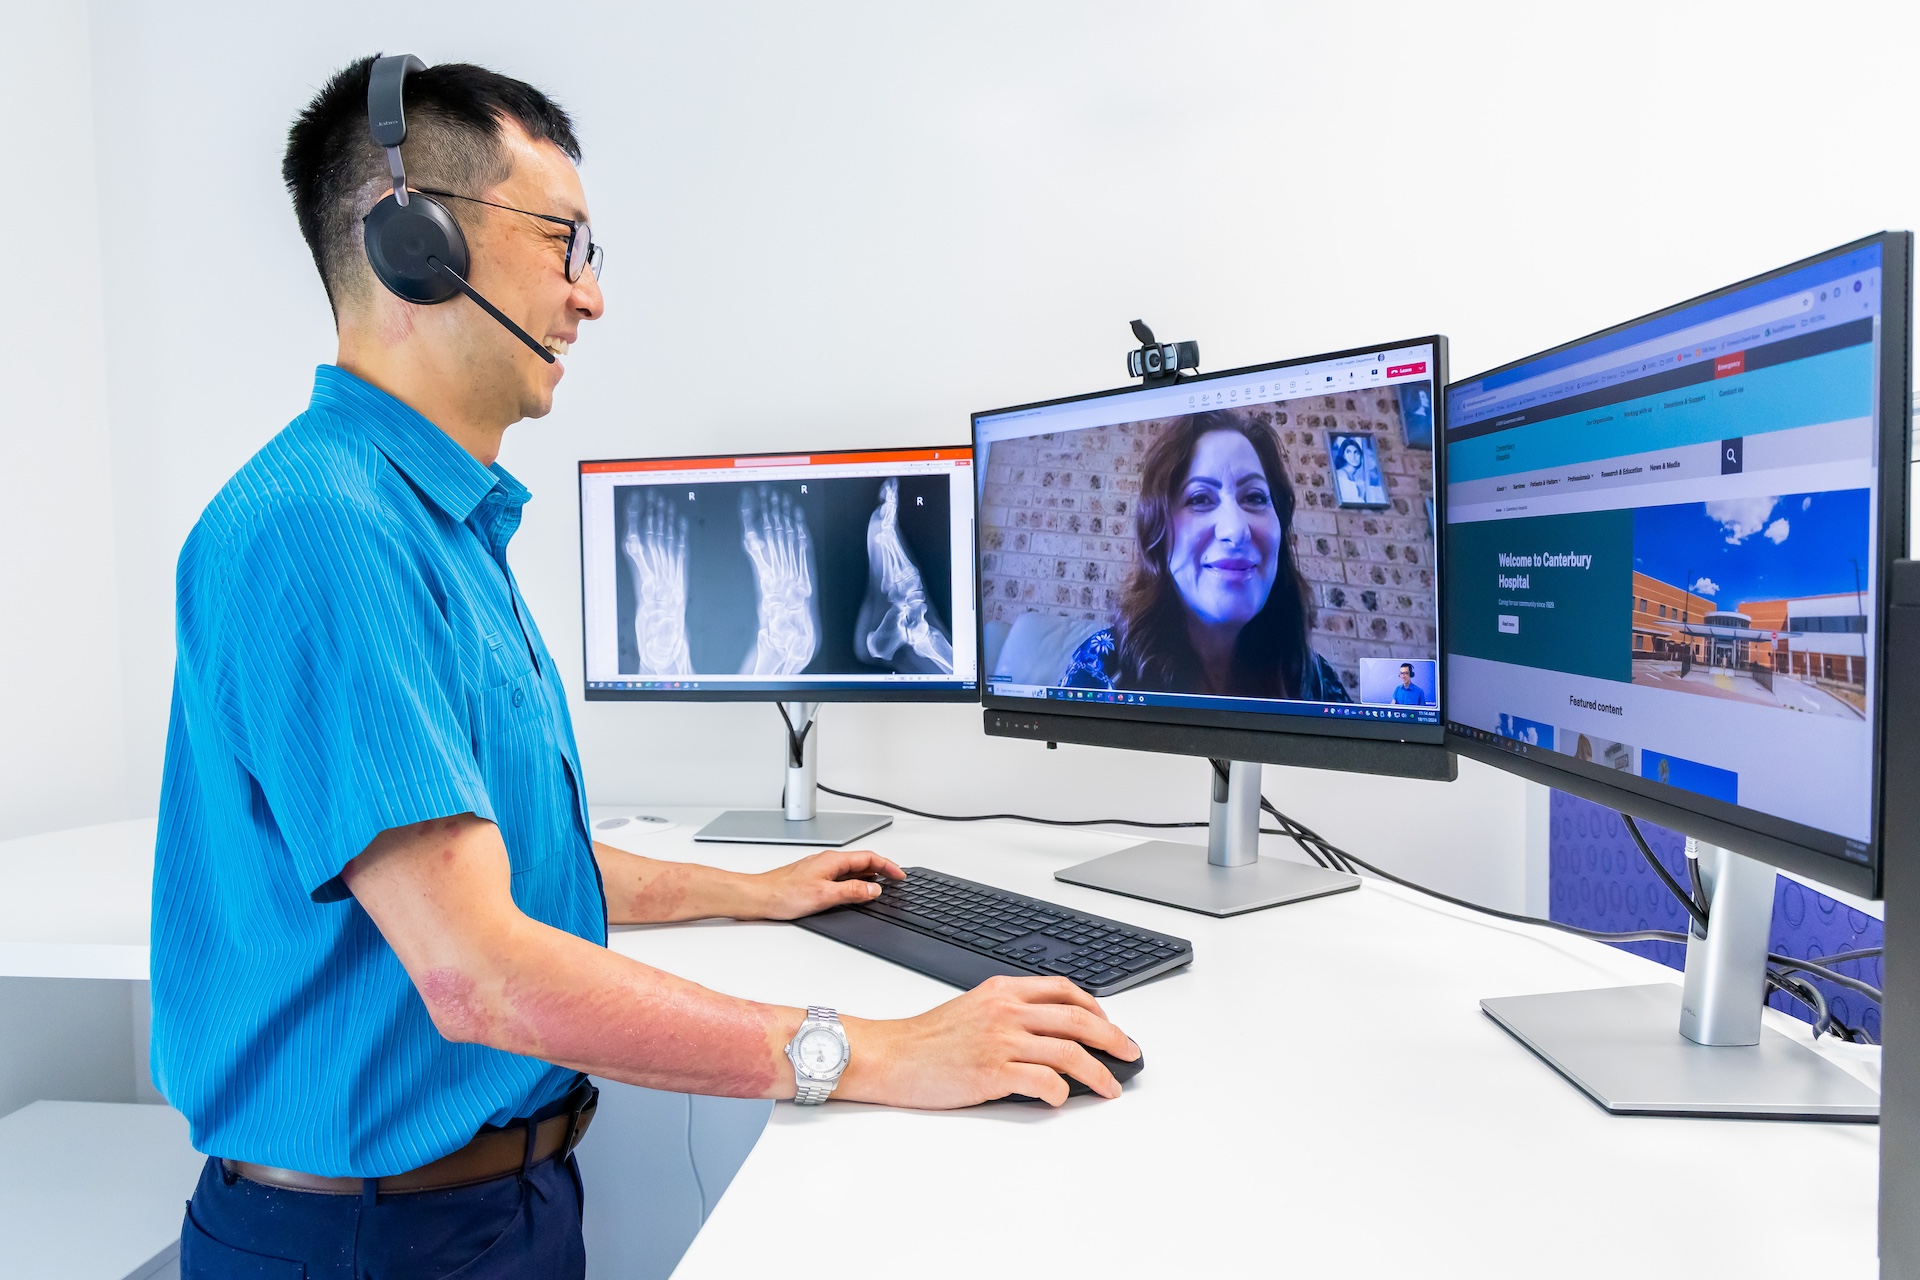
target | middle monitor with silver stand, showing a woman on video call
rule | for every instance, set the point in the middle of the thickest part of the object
(1243, 567)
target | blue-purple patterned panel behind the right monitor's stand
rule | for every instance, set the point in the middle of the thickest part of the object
(1598, 880)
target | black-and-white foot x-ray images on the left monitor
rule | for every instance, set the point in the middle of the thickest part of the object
(823, 577)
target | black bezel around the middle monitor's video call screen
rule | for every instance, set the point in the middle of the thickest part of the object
(1387, 749)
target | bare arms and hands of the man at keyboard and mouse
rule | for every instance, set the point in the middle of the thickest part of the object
(489, 974)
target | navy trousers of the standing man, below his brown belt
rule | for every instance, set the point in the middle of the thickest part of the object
(508, 1227)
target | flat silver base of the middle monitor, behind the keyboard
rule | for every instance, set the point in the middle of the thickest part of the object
(1182, 876)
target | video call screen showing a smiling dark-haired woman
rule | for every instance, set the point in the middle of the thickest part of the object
(1255, 542)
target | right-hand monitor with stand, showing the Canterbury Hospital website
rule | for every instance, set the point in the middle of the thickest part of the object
(1669, 573)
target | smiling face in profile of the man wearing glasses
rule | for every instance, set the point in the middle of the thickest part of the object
(519, 264)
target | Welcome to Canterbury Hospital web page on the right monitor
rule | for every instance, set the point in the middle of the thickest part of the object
(1660, 550)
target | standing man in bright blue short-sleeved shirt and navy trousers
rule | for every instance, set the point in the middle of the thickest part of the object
(379, 920)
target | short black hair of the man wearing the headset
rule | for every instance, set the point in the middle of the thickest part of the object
(456, 114)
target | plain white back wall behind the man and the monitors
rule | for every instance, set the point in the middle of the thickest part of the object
(853, 224)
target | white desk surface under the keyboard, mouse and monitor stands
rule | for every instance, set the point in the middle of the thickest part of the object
(1322, 1097)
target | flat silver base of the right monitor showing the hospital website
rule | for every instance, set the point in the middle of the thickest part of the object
(1623, 1049)
